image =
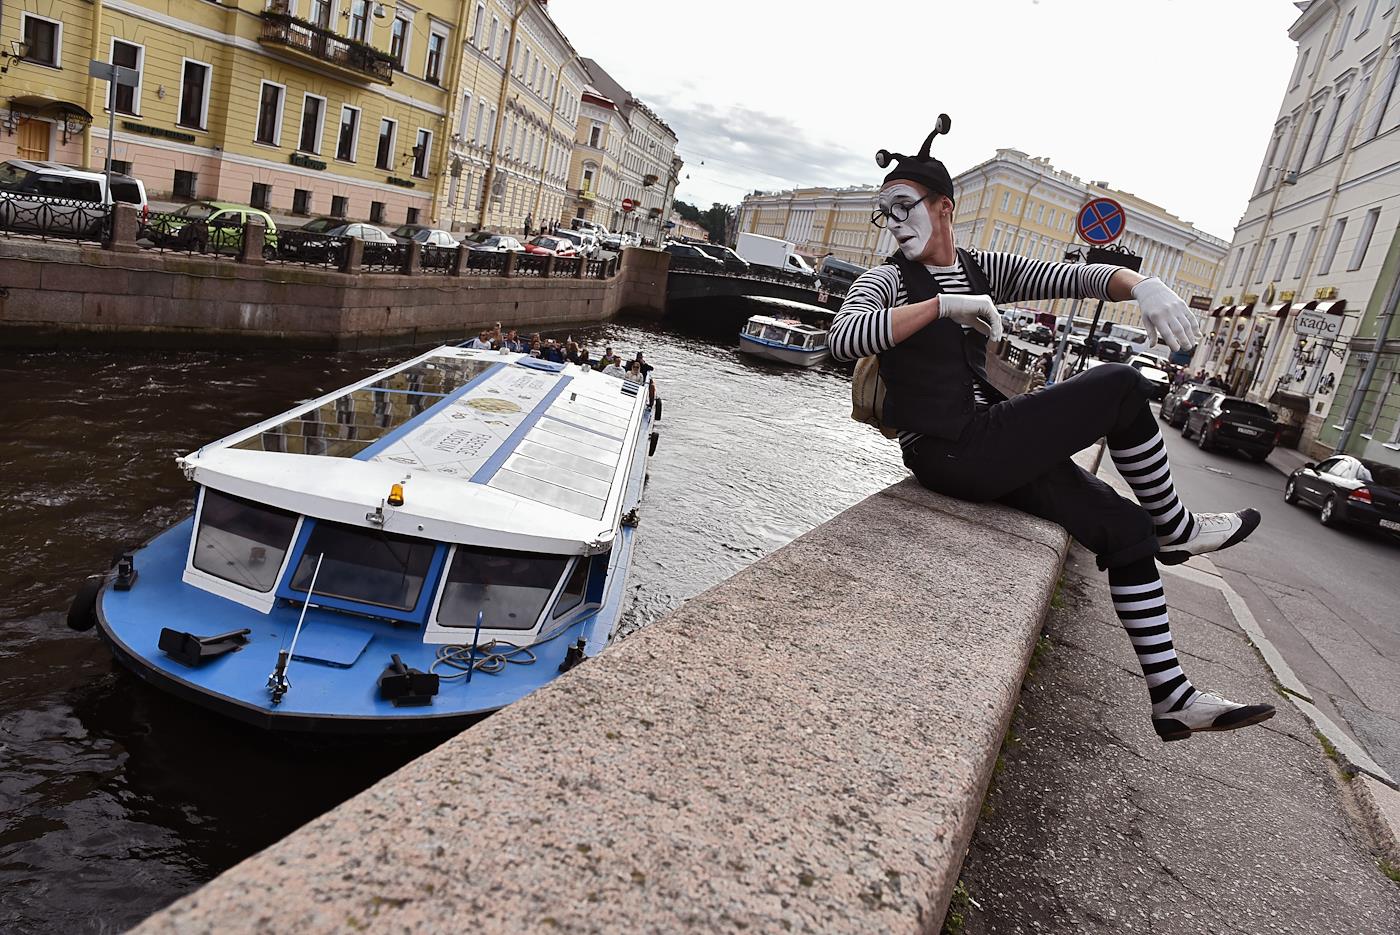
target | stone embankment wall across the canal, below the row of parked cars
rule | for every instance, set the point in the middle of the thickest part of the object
(65, 293)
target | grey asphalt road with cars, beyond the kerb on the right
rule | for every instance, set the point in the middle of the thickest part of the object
(1328, 598)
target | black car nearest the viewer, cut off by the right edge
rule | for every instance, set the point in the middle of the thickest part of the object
(1346, 489)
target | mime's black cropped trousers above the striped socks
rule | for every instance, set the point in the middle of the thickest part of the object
(1018, 451)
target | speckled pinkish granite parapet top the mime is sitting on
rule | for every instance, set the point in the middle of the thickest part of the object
(803, 748)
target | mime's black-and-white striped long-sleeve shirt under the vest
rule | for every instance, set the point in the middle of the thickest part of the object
(864, 328)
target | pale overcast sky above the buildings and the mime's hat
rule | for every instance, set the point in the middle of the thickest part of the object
(1171, 100)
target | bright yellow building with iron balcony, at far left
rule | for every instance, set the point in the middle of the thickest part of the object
(302, 107)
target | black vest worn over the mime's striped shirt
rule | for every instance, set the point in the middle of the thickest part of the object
(929, 377)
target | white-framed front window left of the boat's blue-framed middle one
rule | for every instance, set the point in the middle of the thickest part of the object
(243, 542)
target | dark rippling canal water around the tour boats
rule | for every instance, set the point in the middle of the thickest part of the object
(117, 799)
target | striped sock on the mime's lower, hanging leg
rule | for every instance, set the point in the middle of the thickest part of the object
(1142, 607)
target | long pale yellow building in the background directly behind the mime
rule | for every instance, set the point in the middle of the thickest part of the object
(1011, 204)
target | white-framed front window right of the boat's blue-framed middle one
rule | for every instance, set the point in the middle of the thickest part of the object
(510, 589)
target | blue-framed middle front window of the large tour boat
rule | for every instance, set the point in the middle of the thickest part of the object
(367, 566)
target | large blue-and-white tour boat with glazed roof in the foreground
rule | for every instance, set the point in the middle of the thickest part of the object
(405, 554)
